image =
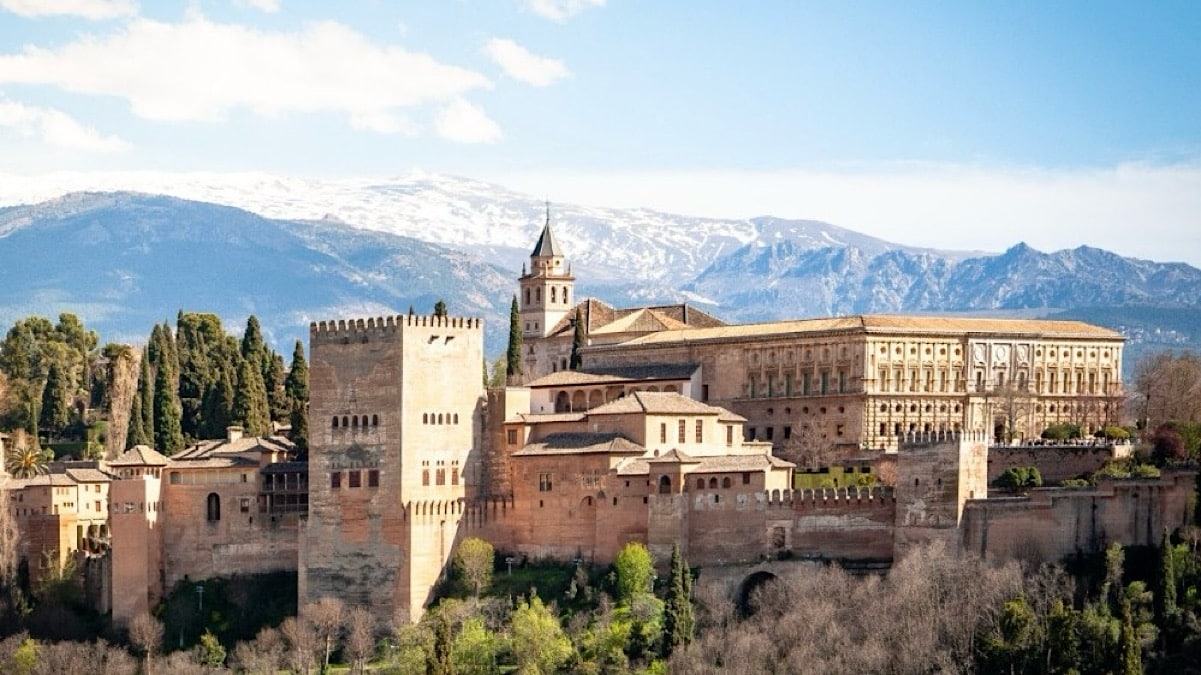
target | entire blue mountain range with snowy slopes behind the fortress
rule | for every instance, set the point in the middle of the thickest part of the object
(292, 252)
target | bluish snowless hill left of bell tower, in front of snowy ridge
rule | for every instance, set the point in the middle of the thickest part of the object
(127, 261)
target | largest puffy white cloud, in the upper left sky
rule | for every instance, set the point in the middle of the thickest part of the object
(201, 71)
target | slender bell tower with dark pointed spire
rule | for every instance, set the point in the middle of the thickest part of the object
(547, 289)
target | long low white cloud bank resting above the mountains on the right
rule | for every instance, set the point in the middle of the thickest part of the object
(1134, 210)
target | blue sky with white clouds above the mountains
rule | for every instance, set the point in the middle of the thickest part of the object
(958, 126)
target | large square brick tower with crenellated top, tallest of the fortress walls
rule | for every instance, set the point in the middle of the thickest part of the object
(396, 419)
